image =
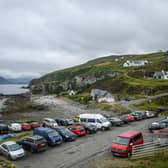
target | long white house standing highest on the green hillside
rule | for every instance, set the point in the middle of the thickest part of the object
(135, 63)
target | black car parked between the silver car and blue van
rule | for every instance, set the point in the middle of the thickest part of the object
(34, 143)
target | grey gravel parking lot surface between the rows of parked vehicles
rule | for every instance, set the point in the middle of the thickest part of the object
(77, 154)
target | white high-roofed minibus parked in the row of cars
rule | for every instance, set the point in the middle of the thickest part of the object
(96, 119)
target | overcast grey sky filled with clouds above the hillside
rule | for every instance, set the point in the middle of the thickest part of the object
(40, 36)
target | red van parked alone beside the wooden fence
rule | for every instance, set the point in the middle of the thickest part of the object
(122, 146)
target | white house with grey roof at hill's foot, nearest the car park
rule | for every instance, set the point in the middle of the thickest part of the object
(102, 95)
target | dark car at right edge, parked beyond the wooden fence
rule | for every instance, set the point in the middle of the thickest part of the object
(158, 125)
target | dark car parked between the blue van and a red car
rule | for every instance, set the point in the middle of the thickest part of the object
(66, 134)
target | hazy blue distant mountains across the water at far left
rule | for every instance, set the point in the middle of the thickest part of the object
(14, 80)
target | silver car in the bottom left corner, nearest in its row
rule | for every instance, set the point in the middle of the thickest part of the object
(12, 150)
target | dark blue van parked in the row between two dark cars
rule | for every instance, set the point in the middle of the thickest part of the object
(51, 136)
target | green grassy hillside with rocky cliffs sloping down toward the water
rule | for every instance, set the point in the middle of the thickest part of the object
(108, 73)
